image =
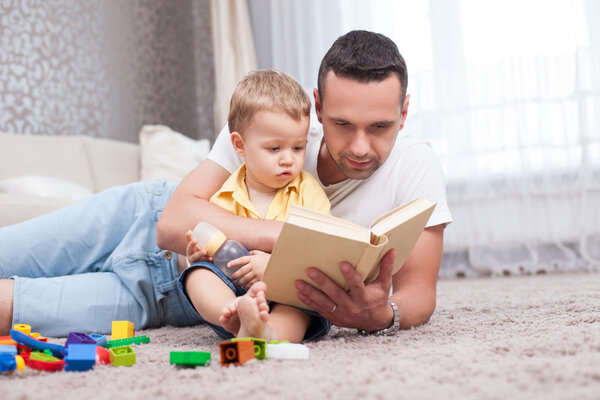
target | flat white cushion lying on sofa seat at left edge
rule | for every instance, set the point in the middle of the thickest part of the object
(44, 186)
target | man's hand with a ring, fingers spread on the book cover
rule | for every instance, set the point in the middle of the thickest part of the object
(363, 306)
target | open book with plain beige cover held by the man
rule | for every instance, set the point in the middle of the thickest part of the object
(311, 239)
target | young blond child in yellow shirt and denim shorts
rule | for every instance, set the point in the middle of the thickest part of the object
(268, 121)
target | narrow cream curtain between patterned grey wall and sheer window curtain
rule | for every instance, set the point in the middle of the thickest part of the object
(234, 53)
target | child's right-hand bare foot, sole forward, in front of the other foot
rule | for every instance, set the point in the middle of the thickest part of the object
(253, 313)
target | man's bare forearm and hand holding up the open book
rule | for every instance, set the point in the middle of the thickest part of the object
(366, 307)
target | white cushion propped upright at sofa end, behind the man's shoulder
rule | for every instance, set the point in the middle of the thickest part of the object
(169, 155)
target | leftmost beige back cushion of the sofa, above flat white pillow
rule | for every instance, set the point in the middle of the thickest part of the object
(63, 157)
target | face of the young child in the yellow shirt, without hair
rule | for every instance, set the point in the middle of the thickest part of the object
(273, 145)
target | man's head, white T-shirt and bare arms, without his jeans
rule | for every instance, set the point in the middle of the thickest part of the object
(364, 167)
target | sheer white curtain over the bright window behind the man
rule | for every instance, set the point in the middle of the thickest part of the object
(508, 94)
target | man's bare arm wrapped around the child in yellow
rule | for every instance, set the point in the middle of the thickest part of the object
(189, 204)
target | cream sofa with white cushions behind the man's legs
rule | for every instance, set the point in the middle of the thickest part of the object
(39, 173)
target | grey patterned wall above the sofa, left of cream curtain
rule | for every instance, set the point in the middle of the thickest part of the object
(105, 68)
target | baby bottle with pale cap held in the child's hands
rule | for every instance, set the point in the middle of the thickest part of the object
(216, 244)
